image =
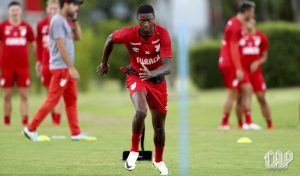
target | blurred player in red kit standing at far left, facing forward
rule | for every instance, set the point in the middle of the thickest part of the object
(15, 36)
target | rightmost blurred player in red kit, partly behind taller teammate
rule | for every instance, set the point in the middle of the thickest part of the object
(254, 49)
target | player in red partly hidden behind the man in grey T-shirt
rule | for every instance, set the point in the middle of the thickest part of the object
(43, 55)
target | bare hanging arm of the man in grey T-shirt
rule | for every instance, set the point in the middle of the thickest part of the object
(66, 58)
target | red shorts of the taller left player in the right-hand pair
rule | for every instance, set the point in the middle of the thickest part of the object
(230, 79)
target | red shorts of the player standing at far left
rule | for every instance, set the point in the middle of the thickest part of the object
(19, 75)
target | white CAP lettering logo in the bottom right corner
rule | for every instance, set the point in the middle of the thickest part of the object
(278, 160)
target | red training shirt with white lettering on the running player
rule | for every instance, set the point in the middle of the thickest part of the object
(144, 52)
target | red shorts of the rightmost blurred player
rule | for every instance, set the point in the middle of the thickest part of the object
(257, 81)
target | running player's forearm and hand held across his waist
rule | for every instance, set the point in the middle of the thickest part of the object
(163, 70)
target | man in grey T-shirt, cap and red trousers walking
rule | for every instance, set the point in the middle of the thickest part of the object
(64, 74)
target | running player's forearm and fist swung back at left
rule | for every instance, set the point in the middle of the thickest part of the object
(103, 68)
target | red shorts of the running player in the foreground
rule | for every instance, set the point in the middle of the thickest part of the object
(156, 94)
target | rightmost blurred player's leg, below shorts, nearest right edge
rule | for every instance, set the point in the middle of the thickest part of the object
(264, 108)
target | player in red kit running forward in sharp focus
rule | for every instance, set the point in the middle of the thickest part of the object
(150, 51)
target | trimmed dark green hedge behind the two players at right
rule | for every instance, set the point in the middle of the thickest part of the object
(281, 70)
